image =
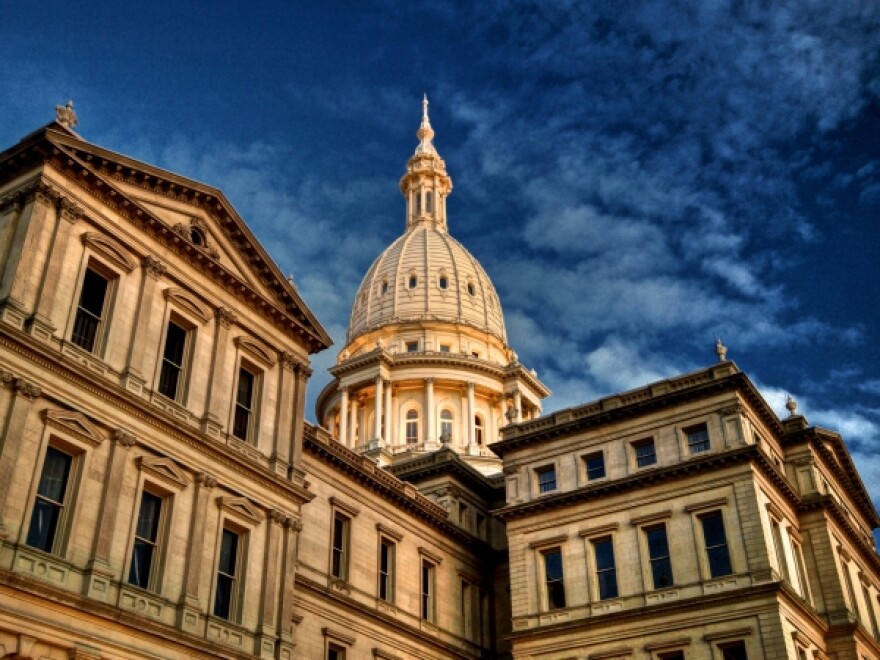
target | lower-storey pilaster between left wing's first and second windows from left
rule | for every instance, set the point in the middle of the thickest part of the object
(100, 574)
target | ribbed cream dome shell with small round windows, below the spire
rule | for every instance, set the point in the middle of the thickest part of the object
(426, 275)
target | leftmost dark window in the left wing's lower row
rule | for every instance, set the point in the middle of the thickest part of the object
(49, 505)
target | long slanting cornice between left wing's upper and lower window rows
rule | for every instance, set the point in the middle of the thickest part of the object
(121, 399)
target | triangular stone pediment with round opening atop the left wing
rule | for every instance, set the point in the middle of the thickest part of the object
(165, 205)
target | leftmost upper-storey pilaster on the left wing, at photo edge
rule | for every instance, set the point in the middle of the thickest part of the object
(31, 211)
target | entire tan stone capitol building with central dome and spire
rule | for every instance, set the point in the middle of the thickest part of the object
(163, 496)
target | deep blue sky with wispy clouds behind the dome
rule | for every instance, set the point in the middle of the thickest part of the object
(636, 177)
